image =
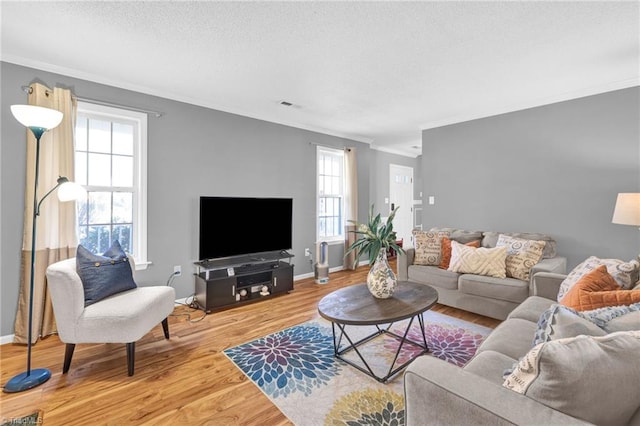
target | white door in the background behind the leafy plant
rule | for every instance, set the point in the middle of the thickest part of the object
(401, 195)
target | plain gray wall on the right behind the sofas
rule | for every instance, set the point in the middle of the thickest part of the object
(555, 169)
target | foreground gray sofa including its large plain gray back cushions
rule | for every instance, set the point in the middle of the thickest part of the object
(580, 380)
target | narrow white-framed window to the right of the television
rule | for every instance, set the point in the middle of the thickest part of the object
(330, 194)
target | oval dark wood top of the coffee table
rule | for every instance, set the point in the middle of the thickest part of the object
(355, 305)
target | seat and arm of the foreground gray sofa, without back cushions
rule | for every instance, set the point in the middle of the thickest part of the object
(439, 393)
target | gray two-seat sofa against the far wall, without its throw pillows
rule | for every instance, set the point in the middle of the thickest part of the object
(488, 296)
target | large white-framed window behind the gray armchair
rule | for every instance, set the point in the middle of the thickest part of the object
(110, 162)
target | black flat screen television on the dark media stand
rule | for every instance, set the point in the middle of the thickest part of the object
(233, 226)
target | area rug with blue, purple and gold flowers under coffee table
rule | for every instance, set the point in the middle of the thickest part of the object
(297, 370)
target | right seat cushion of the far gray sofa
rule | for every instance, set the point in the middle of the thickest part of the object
(508, 289)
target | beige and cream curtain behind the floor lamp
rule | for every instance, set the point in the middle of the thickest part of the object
(56, 228)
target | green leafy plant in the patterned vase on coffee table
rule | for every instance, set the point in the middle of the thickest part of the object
(374, 236)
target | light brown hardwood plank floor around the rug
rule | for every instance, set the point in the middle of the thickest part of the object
(186, 380)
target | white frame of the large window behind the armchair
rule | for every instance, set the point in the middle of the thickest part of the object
(139, 214)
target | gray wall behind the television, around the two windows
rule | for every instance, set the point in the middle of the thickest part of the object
(192, 151)
